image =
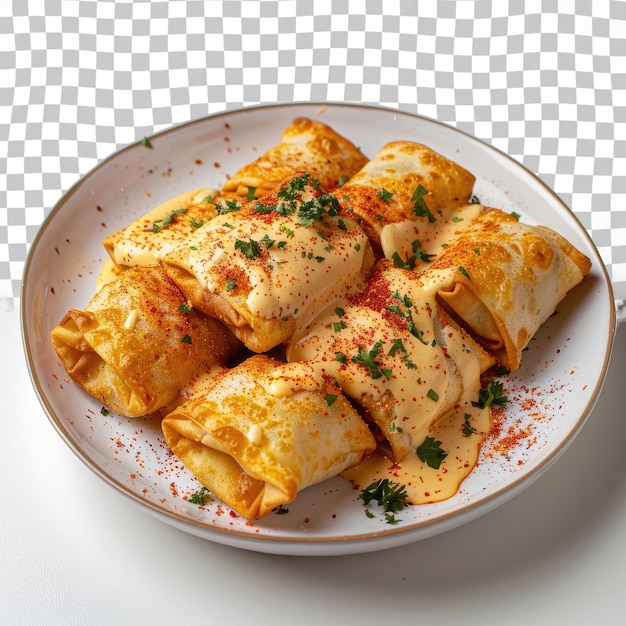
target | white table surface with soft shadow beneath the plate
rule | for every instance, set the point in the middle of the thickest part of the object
(74, 551)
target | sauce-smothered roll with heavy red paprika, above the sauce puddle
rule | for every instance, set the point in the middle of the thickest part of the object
(393, 353)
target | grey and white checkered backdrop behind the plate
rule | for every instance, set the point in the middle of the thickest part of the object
(542, 80)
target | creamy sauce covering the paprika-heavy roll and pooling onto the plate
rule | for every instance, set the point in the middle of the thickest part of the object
(426, 388)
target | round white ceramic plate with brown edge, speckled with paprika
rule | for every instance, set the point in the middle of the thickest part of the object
(549, 397)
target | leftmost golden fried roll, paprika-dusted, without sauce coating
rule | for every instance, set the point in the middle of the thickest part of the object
(137, 343)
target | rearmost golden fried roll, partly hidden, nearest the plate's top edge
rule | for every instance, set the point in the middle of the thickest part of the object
(306, 145)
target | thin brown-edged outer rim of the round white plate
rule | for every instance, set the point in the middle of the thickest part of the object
(307, 544)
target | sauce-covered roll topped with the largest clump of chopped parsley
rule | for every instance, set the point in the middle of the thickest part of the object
(269, 267)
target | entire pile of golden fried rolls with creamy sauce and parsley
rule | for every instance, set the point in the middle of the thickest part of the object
(321, 314)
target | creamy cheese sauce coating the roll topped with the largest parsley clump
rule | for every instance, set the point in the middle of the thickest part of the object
(293, 271)
